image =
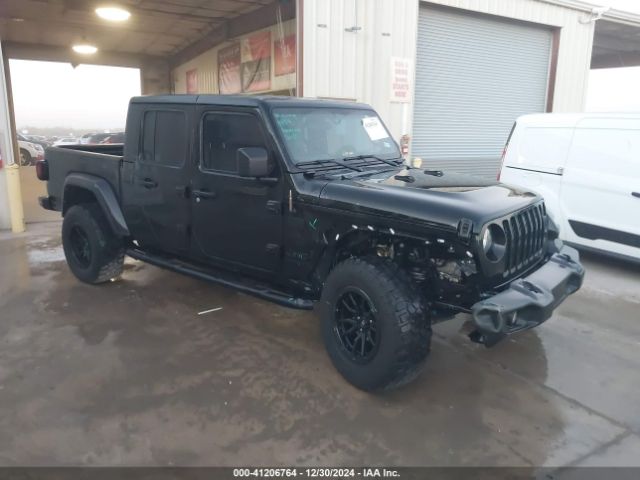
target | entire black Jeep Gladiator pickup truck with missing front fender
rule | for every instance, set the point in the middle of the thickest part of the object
(302, 201)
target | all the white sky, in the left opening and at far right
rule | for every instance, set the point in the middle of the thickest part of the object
(48, 94)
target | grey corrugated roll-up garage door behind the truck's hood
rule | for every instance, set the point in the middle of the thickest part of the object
(475, 74)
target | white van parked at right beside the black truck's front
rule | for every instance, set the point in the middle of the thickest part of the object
(587, 167)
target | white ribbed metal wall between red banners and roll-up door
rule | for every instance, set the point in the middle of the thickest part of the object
(357, 65)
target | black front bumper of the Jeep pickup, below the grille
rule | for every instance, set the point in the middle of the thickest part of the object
(529, 301)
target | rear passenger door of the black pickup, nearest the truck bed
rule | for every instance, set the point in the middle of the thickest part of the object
(157, 194)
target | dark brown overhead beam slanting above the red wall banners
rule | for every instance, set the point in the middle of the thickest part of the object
(235, 27)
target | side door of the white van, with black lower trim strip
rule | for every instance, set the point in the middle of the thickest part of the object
(601, 185)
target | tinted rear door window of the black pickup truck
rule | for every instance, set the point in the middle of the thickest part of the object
(164, 137)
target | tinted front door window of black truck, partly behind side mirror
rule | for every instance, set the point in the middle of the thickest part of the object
(223, 134)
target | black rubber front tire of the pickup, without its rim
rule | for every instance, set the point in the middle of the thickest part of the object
(401, 316)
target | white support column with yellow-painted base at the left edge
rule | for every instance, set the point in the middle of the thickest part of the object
(11, 213)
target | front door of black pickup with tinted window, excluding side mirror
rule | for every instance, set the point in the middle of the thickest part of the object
(237, 221)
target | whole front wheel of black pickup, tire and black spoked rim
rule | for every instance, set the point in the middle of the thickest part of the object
(374, 323)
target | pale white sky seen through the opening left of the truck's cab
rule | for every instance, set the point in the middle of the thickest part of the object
(50, 94)
